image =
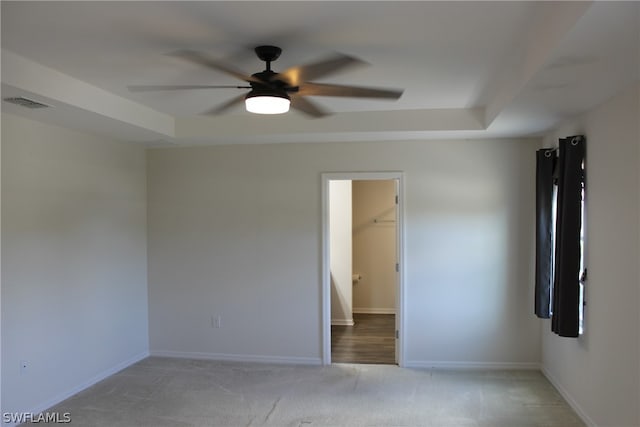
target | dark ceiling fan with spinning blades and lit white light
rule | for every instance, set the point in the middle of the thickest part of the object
(272, 92)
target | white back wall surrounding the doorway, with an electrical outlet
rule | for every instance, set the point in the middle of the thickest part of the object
(236, 231)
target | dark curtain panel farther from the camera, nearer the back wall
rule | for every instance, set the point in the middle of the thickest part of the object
(545, 164)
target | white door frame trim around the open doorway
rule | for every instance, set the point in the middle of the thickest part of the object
(326, 273)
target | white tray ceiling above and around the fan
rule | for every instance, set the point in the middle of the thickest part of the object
(469, 69)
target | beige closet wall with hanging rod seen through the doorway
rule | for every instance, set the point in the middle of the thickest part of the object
(374, 246)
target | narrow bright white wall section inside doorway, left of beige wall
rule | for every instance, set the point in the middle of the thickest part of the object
(340, 243)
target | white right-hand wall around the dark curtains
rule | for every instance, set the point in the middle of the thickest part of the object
(600, 372)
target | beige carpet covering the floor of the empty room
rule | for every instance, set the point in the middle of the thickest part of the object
(176, 392)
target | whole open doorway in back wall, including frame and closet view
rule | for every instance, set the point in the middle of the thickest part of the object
(362, 267)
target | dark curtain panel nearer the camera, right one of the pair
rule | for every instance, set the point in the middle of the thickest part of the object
(566, 287)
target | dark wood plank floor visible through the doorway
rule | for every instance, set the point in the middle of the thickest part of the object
(370, 340)
